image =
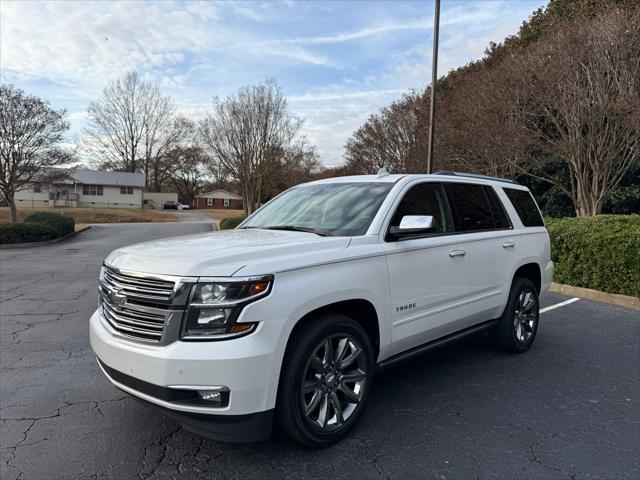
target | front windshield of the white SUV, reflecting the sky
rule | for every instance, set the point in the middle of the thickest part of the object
(325, 209)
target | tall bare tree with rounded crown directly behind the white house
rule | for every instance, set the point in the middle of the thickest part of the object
(131, 125)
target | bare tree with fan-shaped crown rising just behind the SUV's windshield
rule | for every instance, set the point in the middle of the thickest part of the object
(246, 134)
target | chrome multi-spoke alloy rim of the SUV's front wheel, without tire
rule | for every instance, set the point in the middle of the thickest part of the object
(333, 383)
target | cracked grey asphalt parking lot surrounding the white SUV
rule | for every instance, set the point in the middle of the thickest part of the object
(569, 408)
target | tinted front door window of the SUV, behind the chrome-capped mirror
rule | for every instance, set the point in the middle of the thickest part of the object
(426, 199)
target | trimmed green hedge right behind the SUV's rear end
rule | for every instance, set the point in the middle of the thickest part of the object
(602, 252)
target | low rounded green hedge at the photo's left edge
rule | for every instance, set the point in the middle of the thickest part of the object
(37, 227)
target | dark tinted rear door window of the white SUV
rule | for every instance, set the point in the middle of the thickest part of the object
(471, 207)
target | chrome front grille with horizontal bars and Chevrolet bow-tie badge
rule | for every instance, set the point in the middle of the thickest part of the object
(143, 307)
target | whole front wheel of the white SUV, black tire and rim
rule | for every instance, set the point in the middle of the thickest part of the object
(325, 381)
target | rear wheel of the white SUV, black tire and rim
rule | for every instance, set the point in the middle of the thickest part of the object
(518, 325)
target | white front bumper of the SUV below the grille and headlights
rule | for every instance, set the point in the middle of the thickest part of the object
(248, 366)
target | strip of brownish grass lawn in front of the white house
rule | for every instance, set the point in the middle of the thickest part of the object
(96, 215)
